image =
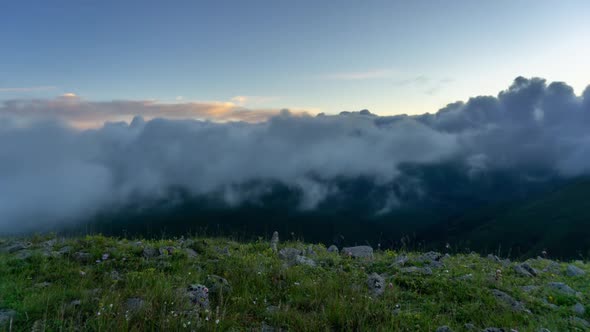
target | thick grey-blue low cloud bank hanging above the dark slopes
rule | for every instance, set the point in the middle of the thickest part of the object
(52, 173)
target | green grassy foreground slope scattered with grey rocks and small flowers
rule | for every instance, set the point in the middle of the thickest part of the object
(191, 284)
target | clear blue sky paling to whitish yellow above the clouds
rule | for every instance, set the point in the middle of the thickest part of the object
(387, 56)
